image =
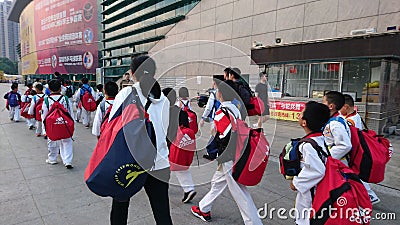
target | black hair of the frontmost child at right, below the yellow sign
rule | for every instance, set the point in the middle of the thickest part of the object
(316, 114)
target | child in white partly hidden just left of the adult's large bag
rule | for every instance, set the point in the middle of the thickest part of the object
(111, 90)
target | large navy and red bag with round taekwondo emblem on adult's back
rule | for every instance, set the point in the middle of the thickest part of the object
(124, 152)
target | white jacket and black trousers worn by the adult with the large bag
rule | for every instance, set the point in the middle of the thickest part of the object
(156, 185)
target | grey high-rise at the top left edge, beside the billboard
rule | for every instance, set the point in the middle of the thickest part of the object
(9, 33)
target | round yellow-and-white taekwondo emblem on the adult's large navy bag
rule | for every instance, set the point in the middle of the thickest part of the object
(127, 173)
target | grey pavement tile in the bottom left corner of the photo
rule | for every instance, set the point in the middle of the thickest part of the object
(18, 210)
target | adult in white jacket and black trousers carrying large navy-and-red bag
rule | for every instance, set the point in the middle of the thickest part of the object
(156, 186)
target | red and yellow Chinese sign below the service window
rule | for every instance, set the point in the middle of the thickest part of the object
(284, 110)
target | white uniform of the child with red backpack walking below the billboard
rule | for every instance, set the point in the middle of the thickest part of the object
(64, 146)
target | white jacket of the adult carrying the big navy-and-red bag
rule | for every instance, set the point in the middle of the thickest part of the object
(158, 114)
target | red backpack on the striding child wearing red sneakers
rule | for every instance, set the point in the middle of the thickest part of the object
(251, 151)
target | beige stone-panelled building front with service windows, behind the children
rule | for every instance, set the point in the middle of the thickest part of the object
(223, 33)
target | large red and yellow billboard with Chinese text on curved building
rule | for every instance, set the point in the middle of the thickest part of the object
(64, 34)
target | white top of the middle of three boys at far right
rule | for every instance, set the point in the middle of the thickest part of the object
(337, 138)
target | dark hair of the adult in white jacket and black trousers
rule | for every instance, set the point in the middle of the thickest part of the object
(143, 65)
